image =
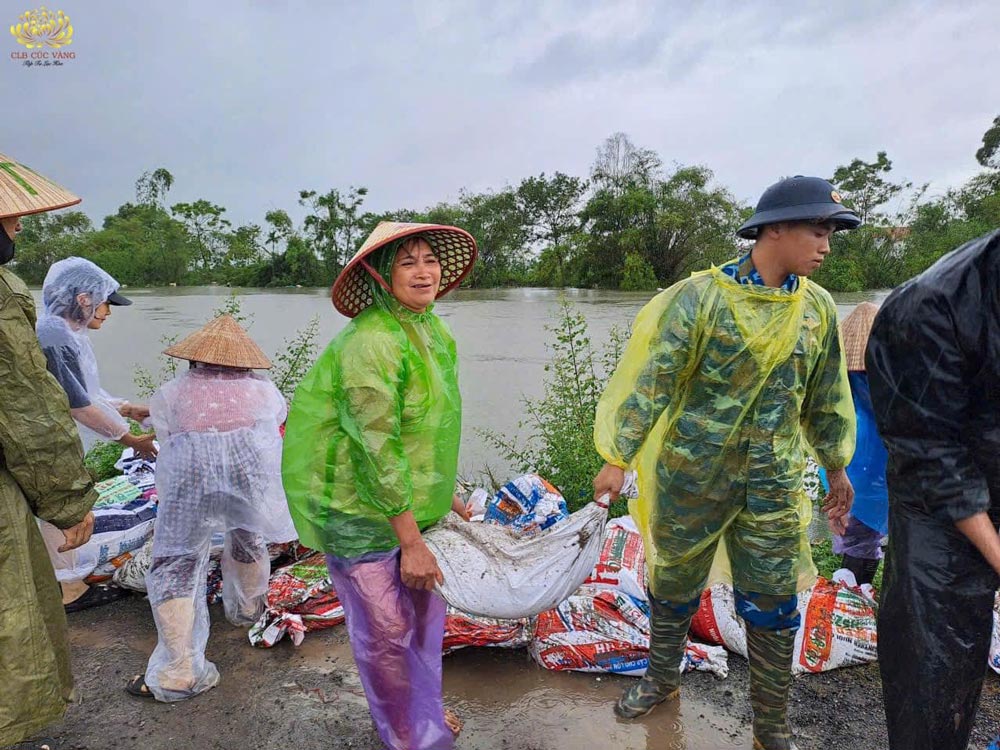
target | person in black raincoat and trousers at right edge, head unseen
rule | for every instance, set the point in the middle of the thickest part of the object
(933, 363)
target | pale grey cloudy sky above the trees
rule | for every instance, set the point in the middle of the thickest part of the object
(248, 102)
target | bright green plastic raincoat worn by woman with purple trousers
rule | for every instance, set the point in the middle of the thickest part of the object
(374, 431)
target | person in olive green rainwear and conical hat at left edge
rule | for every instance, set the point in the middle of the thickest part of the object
(41, 474)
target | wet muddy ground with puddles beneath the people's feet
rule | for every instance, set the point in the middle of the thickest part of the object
(310, 698)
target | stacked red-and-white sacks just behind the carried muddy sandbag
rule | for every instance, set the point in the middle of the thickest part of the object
(604, 625)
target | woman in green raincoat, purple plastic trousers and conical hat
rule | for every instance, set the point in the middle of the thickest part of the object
(370, 460)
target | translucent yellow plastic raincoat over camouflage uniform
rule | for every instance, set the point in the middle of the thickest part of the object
(721, 392)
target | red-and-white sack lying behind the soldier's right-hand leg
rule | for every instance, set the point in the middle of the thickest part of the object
(838, 624)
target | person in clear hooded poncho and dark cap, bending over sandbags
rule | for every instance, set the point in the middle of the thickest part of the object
(78, 296)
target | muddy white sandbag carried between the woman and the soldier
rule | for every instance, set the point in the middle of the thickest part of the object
(493, 571)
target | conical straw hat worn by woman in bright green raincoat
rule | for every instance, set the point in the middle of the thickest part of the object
(455, 248)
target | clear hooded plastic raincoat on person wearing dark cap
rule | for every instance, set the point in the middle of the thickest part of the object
(71, 293)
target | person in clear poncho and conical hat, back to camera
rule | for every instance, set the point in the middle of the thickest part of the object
(218, 471)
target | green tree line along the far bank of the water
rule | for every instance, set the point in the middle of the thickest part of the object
(630, 224)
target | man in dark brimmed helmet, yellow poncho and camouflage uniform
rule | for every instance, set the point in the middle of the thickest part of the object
(730, 377)
